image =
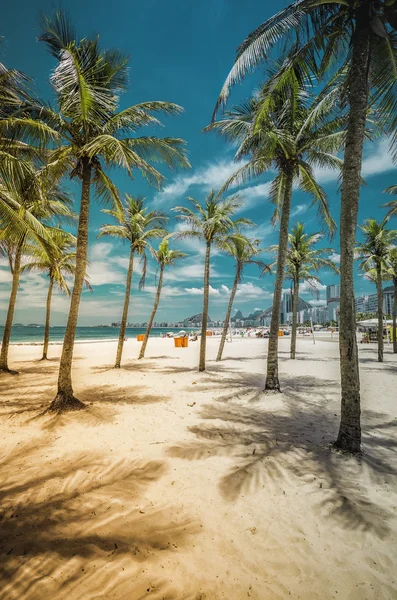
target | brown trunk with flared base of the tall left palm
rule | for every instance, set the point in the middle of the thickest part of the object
(65, 400)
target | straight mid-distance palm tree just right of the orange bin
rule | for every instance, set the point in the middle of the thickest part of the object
(214, 224)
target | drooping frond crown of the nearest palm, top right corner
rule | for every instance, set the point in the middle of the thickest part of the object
(320, 34)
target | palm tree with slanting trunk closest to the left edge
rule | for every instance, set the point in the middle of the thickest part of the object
(43, 201)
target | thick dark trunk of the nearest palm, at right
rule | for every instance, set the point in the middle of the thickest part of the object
(349, 436)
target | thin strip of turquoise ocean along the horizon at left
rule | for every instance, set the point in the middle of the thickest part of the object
(31, 335)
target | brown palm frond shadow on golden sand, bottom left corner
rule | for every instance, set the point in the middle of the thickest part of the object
(71, 523)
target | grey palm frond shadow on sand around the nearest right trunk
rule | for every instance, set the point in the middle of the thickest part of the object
(272, 447)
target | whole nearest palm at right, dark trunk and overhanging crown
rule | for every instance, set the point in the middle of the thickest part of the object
(360, 35)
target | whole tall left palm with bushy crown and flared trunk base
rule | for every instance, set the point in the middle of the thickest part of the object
(91, 134)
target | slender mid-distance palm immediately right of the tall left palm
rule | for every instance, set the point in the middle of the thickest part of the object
(139, 227)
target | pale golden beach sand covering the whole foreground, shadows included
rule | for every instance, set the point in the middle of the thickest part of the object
(179, 485)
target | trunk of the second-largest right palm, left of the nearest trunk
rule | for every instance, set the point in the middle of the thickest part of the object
(272, 381)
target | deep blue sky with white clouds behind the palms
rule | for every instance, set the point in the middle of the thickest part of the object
(179, 51)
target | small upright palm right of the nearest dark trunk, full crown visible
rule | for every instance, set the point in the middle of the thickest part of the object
(373, 254)
